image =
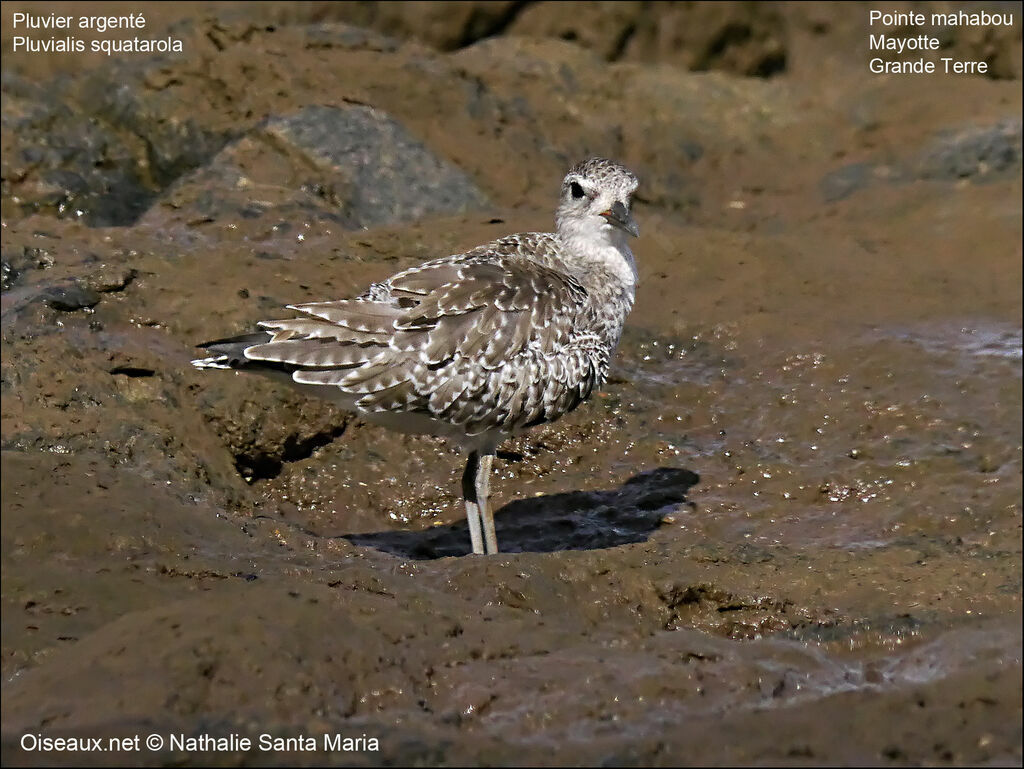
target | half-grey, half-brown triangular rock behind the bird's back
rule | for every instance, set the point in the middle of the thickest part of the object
(354, 165)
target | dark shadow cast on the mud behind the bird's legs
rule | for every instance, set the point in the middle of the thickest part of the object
(576, 521)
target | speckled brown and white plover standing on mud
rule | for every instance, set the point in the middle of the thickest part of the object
(475, 348)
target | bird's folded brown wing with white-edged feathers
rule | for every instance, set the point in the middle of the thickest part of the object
(398, 346)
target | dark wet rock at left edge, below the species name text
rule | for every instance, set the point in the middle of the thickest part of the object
(80, 149)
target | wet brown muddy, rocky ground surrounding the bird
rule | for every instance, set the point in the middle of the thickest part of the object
(788, 531)
